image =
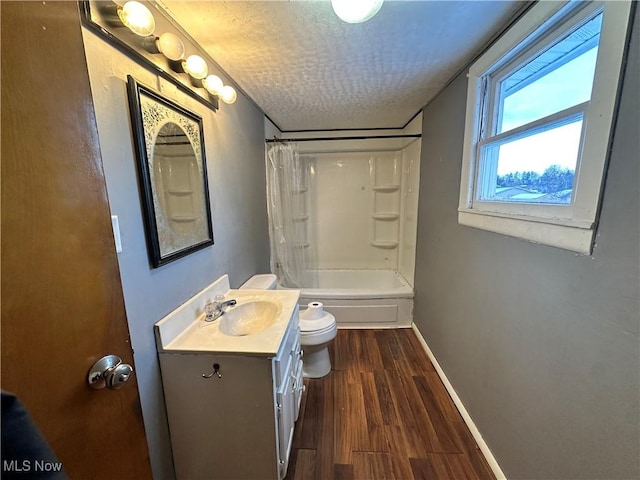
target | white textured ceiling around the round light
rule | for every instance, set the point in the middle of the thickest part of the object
(308, 70)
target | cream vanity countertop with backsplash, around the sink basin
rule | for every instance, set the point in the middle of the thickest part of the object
(186, 331)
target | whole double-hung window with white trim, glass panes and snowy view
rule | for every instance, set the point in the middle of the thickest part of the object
(540, 106)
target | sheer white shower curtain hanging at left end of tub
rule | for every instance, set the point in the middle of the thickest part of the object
(285, 187)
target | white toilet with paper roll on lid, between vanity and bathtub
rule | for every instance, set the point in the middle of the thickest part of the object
(317, 329)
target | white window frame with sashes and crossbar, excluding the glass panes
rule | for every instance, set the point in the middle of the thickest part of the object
(570, 226)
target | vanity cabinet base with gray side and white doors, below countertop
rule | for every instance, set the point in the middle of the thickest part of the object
(232, 415)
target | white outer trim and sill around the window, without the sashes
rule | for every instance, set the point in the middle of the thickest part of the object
(572, 227)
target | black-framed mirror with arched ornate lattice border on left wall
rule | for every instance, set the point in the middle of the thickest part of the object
(172, 170)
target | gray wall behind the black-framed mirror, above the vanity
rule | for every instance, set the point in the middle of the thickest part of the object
(234, 144)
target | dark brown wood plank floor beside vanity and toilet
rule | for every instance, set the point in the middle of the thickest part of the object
(382, 413)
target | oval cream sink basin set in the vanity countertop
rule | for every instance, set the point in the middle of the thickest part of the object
(249, 318)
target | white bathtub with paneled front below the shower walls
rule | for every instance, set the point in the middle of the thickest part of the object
(361, 298)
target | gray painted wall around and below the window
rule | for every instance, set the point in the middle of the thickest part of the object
(541, 345)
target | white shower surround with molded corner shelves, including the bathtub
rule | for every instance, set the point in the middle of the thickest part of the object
(357, 210)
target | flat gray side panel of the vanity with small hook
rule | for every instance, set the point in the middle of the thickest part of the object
(221, 426)
